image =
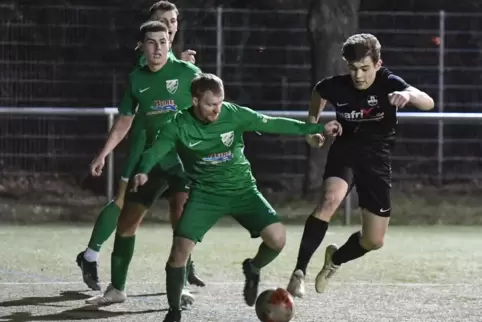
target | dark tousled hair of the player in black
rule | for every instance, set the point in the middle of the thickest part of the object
(360, 46)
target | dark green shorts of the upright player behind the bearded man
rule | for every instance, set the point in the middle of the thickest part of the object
(166, 174)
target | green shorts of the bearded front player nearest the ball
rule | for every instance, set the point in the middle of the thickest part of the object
(203, 210)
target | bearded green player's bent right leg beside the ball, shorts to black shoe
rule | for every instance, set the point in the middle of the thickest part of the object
(255, 214)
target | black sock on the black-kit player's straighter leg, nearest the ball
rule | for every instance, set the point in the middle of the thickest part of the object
(313, 234)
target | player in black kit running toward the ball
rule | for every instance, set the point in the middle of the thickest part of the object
(366, 102)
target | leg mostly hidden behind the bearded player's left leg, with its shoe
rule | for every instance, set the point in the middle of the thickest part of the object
(179, 187)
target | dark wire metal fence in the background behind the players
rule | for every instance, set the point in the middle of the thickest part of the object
(263, 57)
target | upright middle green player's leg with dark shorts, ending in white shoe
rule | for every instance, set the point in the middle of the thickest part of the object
(135, 207)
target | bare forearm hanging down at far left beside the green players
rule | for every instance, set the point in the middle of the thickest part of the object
(116, 135)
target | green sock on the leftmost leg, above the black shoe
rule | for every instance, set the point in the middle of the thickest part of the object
(104, 226)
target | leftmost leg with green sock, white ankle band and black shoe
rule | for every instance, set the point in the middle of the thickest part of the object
(104, 226)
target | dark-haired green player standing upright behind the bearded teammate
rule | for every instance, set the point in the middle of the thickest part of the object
(154, 93)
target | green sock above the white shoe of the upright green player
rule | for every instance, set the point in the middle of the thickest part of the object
(120, 260)
